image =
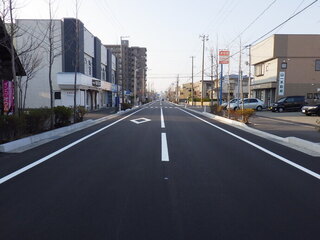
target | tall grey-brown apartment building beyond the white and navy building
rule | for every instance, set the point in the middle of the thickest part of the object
(132, 68)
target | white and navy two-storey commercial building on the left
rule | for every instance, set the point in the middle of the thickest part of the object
(96, 73)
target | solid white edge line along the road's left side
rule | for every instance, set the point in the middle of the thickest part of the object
(26, 168)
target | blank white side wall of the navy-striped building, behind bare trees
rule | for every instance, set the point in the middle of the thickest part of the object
(38, 94)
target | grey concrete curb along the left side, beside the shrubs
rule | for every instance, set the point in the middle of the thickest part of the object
(42, 138)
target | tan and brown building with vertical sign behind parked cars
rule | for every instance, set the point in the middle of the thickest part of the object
(286, 65)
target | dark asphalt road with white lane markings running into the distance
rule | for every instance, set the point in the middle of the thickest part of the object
(160, 172)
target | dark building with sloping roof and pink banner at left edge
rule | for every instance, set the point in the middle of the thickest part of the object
(7, 104)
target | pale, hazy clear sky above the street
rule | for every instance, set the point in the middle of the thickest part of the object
(170, 29)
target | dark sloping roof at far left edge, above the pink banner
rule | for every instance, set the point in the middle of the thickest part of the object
(5, 56)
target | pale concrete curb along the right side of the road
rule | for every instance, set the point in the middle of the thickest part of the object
(299, 144)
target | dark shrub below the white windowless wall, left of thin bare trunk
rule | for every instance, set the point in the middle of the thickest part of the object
(38, 120)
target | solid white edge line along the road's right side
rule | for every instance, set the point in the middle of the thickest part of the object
(314, 174)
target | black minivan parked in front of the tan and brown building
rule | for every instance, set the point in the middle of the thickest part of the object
(290, 103)
